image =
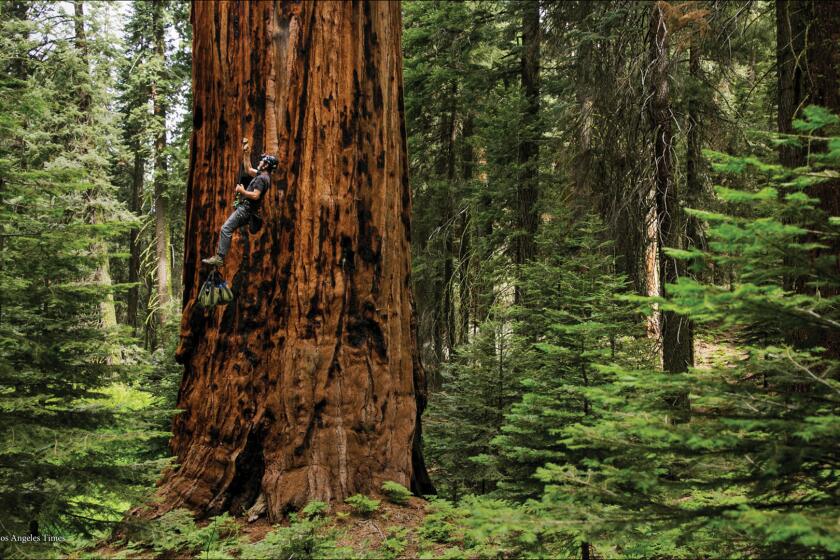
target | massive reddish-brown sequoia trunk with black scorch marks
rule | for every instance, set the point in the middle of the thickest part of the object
(308, 385)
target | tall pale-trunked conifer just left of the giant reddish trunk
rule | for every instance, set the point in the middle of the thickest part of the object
(153, 76)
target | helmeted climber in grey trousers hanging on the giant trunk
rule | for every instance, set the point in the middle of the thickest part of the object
(247, 201)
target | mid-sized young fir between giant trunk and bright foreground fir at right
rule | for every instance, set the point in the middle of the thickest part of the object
(571, 314)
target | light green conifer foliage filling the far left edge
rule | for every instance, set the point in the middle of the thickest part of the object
(68, 457)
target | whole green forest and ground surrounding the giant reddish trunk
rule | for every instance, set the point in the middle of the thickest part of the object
(625, 247)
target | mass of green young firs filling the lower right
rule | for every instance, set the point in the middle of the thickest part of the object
(595, 452)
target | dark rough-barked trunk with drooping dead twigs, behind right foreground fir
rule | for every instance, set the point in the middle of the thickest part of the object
(675, 330)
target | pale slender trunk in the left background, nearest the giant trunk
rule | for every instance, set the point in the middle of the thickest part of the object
(161, 203)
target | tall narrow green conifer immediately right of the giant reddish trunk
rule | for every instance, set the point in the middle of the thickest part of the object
(446, 70)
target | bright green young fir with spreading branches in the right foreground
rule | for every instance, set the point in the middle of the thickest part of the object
(753, 473)
